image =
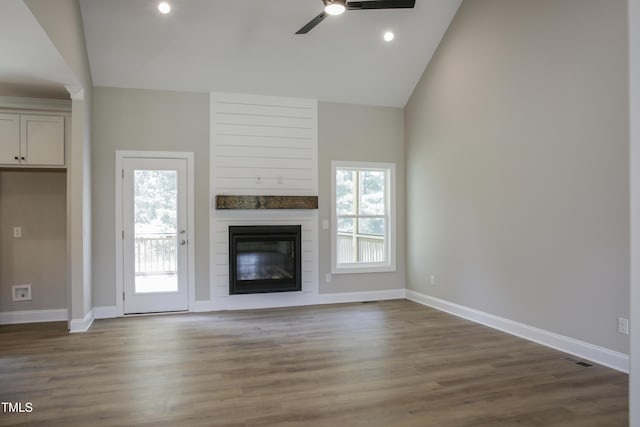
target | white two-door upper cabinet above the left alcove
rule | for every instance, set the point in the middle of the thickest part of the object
(31, 140)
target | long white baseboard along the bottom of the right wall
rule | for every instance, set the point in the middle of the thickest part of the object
(585, 350)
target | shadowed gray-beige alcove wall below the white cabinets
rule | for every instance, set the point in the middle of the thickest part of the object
(37, 202)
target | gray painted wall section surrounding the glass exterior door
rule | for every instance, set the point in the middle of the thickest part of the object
(130, 119)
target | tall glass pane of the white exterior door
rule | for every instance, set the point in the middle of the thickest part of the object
(156, 230)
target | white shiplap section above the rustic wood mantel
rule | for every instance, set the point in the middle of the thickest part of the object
(264, 145)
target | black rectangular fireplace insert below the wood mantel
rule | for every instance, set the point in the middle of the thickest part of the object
(266, 258)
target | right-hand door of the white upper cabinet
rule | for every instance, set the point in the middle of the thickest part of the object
(42, 140)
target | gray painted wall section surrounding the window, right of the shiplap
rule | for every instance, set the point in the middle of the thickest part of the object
(360, 133)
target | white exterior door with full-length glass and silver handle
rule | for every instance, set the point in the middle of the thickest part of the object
(154, 235)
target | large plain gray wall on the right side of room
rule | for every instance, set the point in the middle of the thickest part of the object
(517, 166)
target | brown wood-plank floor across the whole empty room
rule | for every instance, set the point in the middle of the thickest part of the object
(391, 363)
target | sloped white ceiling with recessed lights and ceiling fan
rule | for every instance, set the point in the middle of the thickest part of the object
(249, 46)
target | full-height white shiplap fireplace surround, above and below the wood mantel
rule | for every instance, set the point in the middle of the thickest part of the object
(263, 146)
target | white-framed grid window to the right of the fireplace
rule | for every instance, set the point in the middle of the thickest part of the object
(363, 217)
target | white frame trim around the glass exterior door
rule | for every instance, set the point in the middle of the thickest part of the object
(188, 156)
